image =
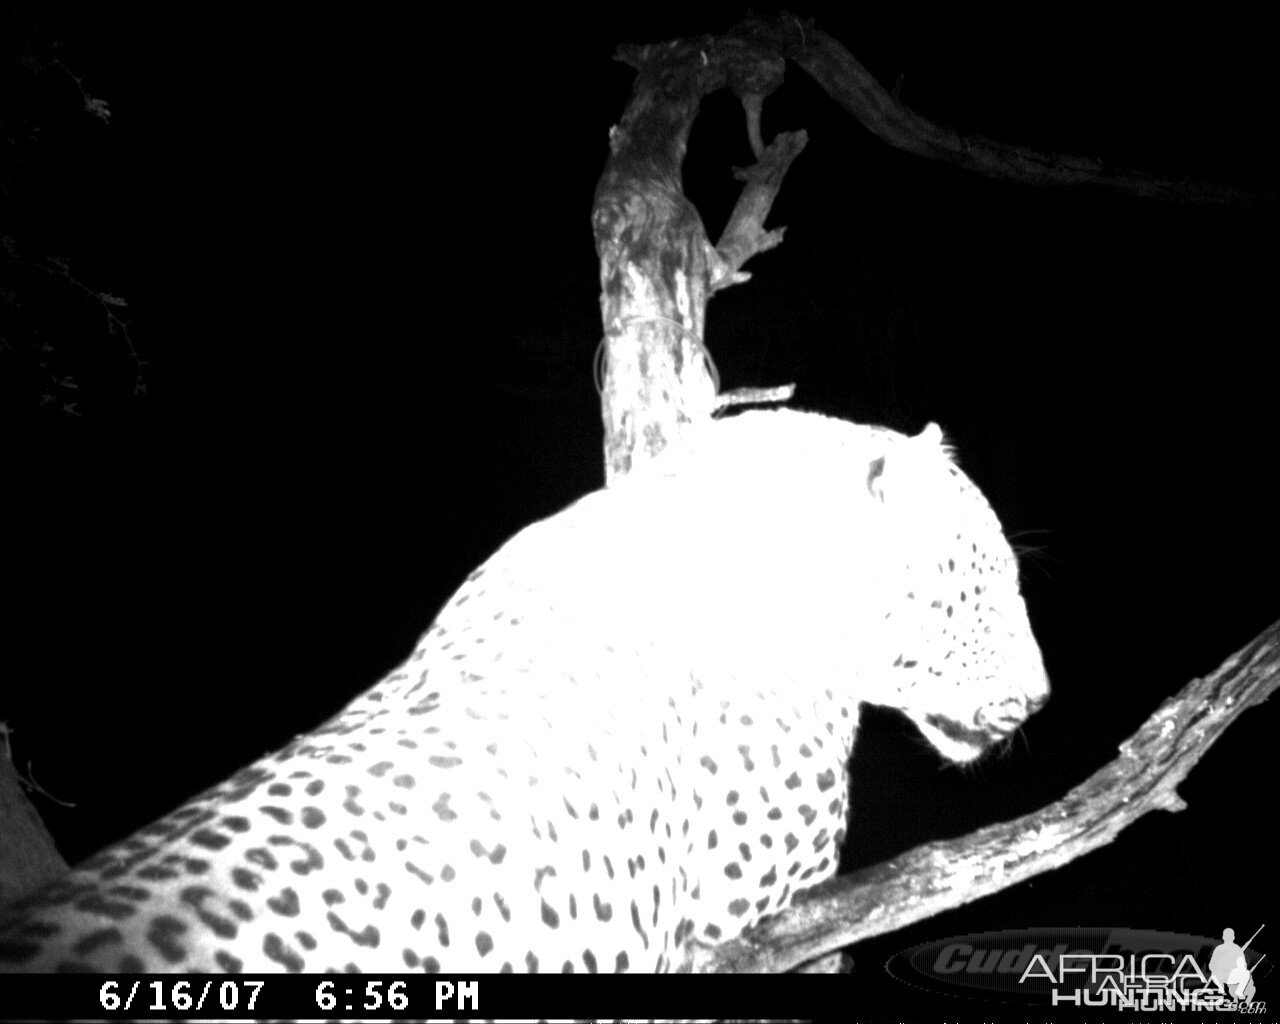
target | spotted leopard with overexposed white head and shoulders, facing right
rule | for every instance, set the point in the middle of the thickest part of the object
(628, 732)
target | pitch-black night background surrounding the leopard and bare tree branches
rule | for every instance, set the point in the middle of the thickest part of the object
(356, 252)
